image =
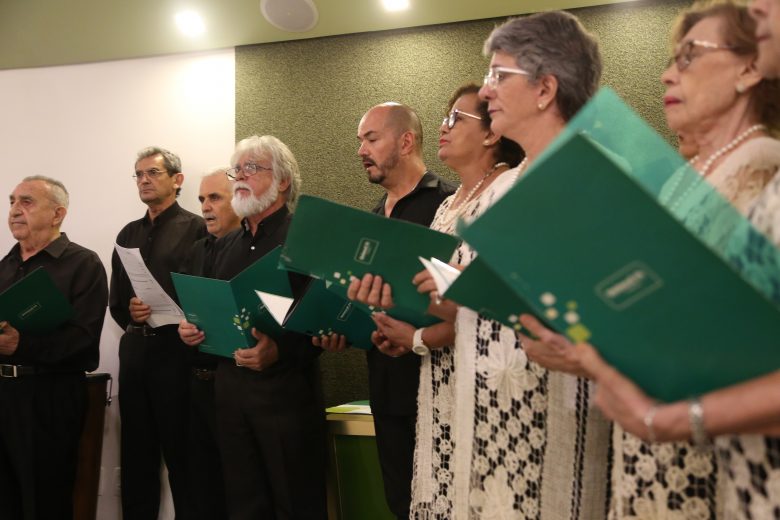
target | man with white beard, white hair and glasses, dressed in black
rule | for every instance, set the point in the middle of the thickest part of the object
(270, 415)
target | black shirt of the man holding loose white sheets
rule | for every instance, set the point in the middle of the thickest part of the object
(164, 244)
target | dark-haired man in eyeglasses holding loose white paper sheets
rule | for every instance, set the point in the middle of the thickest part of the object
(154, 365)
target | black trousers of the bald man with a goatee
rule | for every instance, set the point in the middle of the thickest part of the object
(395, 438)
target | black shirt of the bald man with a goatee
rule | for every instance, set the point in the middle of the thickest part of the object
(393, 382)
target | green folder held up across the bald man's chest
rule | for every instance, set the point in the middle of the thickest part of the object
(333, 242)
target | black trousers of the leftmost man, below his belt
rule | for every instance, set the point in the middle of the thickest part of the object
(41, 419)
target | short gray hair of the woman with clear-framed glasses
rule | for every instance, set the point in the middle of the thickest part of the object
(557, 44)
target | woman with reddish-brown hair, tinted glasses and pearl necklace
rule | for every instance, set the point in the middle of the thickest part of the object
(719, 101)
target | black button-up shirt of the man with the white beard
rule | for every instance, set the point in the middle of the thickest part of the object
(293, 378)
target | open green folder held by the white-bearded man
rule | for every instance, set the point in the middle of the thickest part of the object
(227, 310)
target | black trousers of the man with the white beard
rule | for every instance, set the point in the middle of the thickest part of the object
(273, 458)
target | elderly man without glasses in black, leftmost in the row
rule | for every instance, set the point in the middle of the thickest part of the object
(43, 394)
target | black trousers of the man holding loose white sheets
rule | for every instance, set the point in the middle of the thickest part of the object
(154, 383)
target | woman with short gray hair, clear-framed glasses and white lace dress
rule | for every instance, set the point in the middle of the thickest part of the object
(526, 442)
